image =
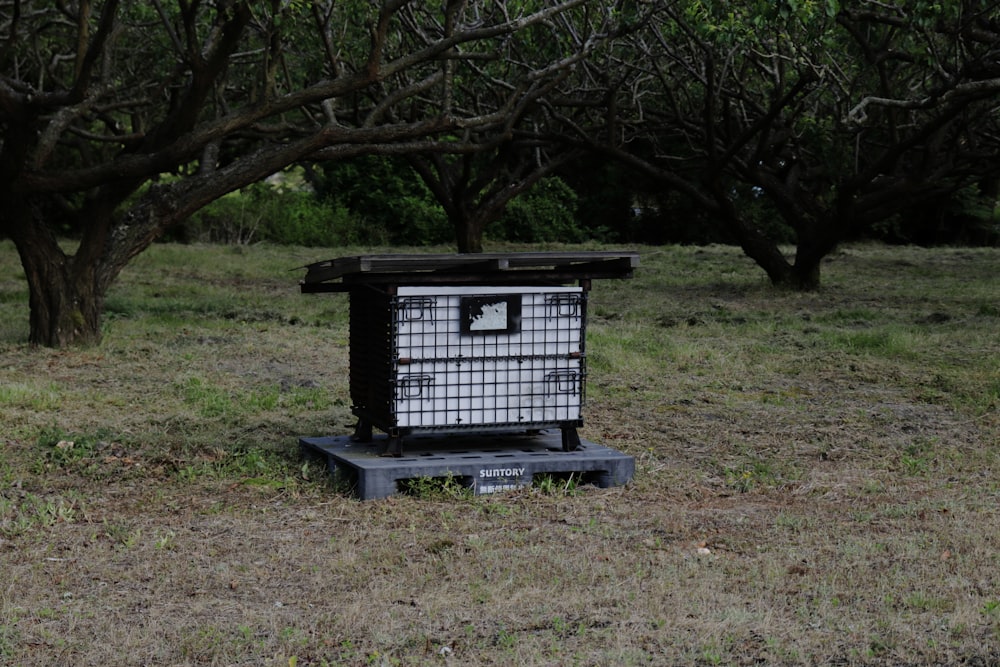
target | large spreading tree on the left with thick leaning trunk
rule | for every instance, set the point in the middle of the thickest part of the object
(122, 119)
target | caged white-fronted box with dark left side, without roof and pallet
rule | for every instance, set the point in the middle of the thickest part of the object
(468, 357)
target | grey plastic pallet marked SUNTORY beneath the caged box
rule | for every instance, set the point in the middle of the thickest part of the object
(486, 463)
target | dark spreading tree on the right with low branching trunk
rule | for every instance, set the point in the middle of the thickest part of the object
(834, 115)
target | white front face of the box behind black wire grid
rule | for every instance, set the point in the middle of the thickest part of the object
(515, 370)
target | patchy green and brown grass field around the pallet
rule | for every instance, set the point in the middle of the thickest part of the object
(816, 479)
